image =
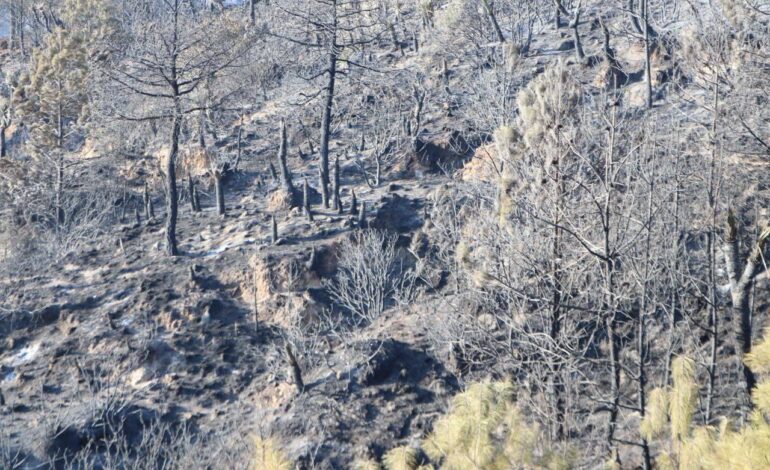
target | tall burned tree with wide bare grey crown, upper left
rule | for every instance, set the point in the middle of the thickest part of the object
(176, 53)
